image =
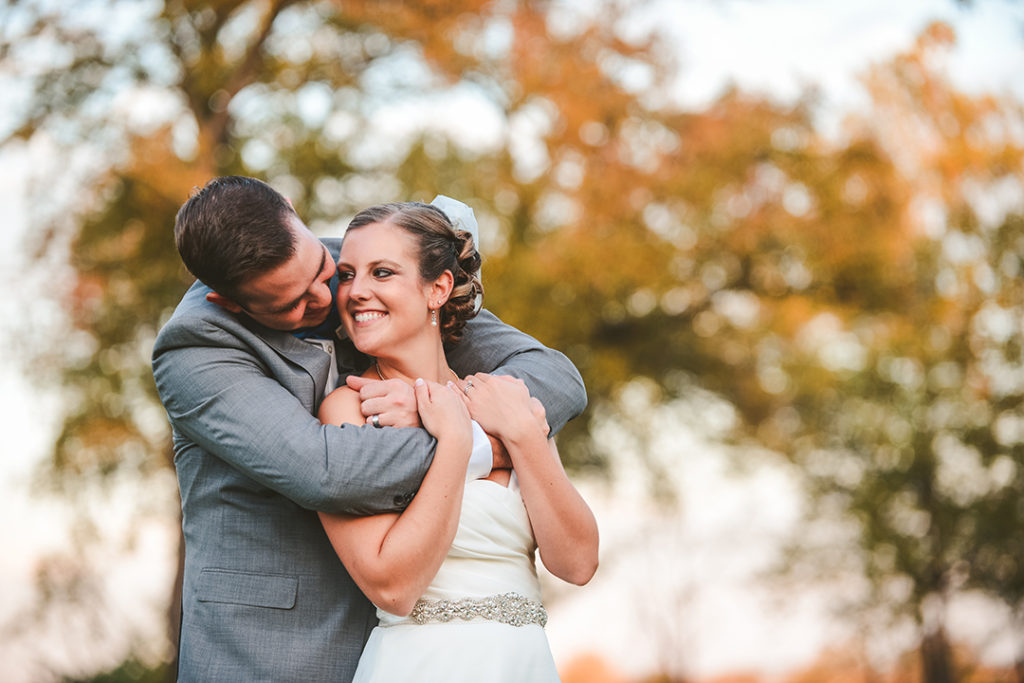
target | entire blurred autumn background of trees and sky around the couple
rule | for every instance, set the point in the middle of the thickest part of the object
(783, 240)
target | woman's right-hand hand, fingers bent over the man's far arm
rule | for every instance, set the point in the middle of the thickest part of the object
(503, 406)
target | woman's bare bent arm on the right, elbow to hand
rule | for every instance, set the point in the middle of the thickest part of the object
(564, 525)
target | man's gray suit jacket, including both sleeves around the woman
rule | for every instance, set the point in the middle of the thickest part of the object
(266, 599)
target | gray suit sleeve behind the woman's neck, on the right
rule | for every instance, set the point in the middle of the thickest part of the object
(492, 347)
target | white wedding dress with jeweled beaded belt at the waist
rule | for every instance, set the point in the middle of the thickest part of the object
(481, 621)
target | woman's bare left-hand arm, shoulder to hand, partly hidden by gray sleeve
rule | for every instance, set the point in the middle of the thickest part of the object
(393, 558)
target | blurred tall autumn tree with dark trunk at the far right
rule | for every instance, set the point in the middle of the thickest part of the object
(918, 436)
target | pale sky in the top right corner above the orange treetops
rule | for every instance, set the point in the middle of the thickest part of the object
(780, 47)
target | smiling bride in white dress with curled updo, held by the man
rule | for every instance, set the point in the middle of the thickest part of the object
(453, 576)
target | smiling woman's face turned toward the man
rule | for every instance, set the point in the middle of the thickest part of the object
(381, 297)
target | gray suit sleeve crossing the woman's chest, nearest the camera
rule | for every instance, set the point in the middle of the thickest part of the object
(222, 400)
